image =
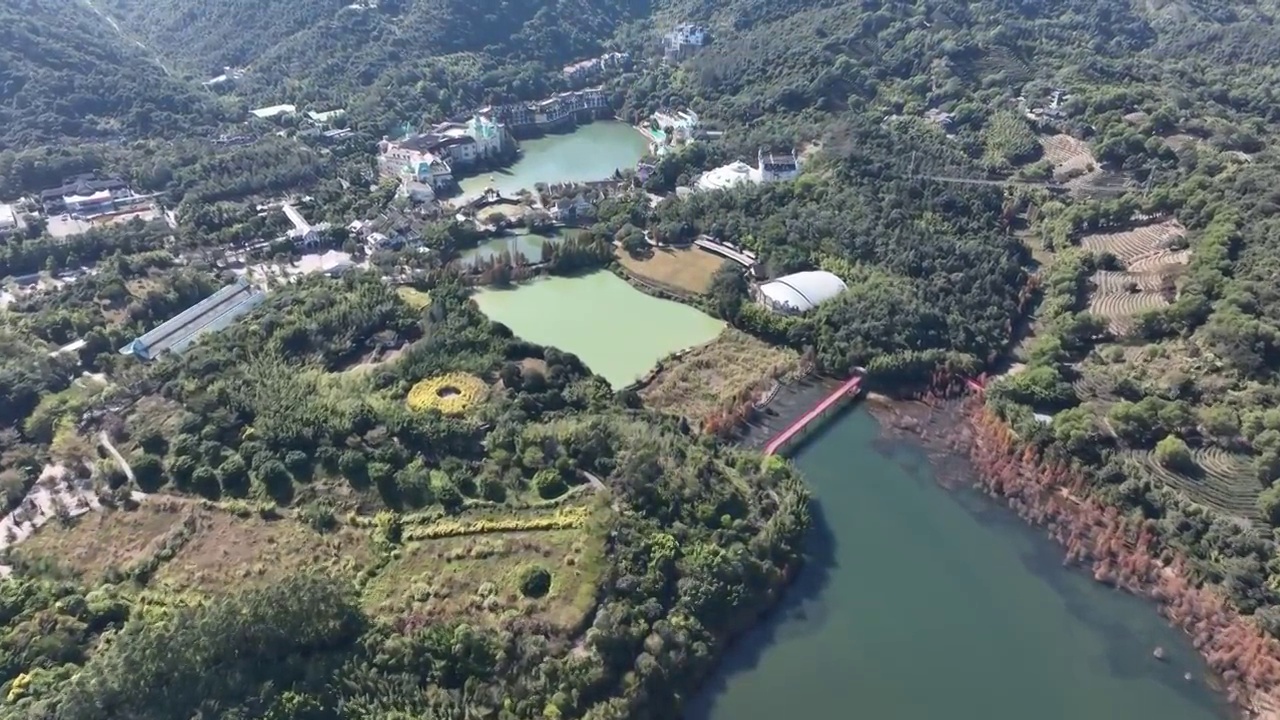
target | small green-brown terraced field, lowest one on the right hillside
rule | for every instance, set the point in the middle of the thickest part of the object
(1224, 481)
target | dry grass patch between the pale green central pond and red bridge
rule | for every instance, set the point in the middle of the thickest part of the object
(716, 375)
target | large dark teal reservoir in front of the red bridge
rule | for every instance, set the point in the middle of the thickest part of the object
(926, 604)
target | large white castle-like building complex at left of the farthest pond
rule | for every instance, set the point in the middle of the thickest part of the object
(426, 163)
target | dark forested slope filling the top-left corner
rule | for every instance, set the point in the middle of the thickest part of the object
(65, 74)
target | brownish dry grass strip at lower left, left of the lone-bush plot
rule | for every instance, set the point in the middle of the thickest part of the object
(212, 549)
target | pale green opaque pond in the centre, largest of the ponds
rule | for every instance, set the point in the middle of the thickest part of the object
(616, 330)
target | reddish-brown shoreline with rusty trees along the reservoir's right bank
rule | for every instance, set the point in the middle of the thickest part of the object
(968, 445)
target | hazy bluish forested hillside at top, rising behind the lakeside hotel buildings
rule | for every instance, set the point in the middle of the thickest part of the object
(431, 57)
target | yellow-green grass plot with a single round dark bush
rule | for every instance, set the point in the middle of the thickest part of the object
(478, 578)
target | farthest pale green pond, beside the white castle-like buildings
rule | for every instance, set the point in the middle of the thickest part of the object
(591, 153)
